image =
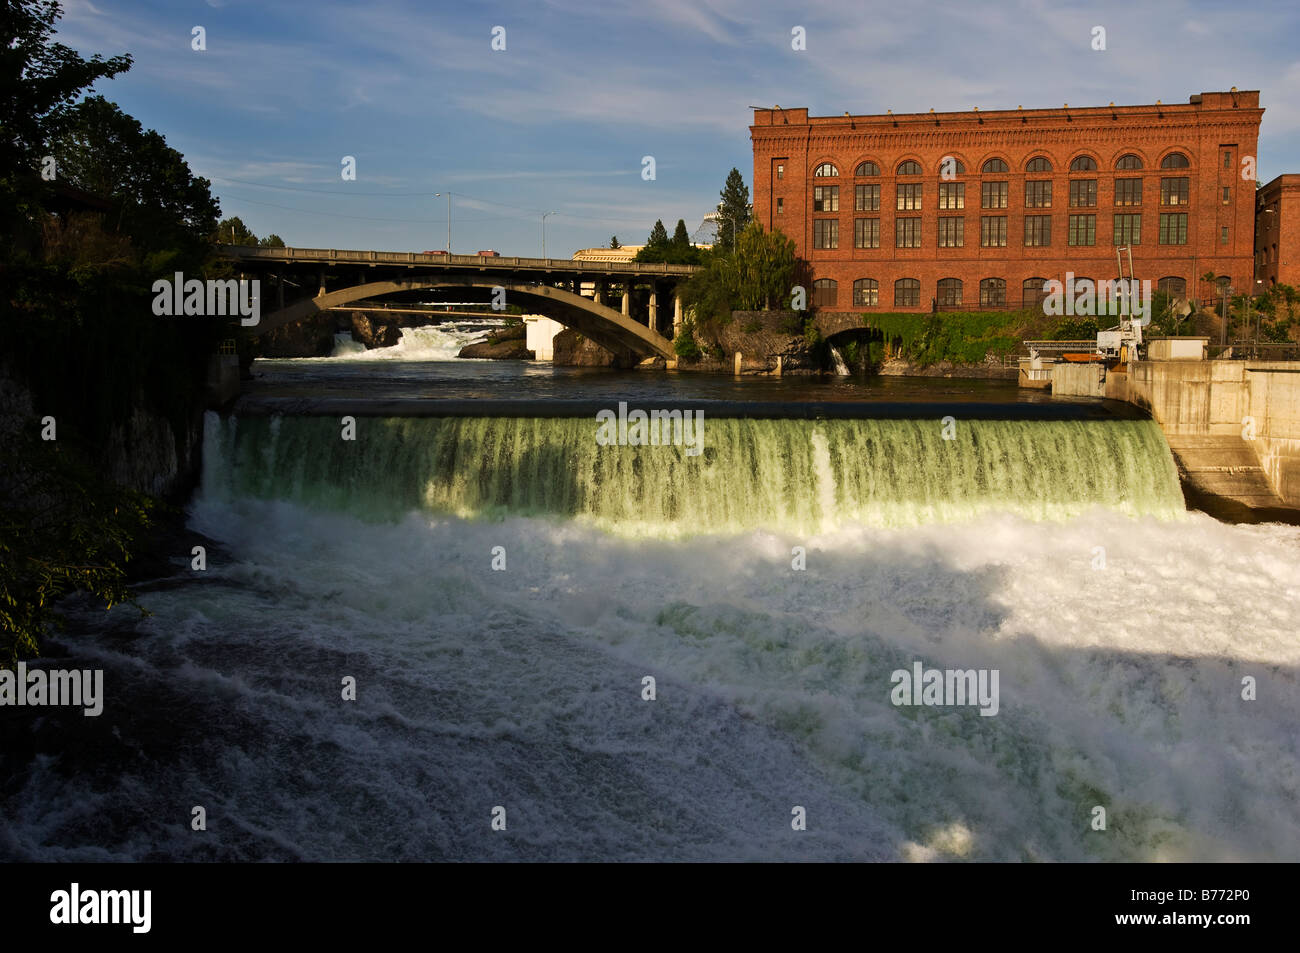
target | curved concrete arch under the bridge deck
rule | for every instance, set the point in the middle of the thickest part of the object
(604, 326)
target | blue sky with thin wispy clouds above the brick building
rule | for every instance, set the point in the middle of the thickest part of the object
(564, 118)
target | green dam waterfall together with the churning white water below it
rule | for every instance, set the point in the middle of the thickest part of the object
(501, 660)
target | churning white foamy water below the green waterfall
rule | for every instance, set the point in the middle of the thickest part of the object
(1120, 688)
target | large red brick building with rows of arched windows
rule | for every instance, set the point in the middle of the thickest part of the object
(977, 210)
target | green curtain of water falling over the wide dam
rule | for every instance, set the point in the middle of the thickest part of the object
(781, 475)
